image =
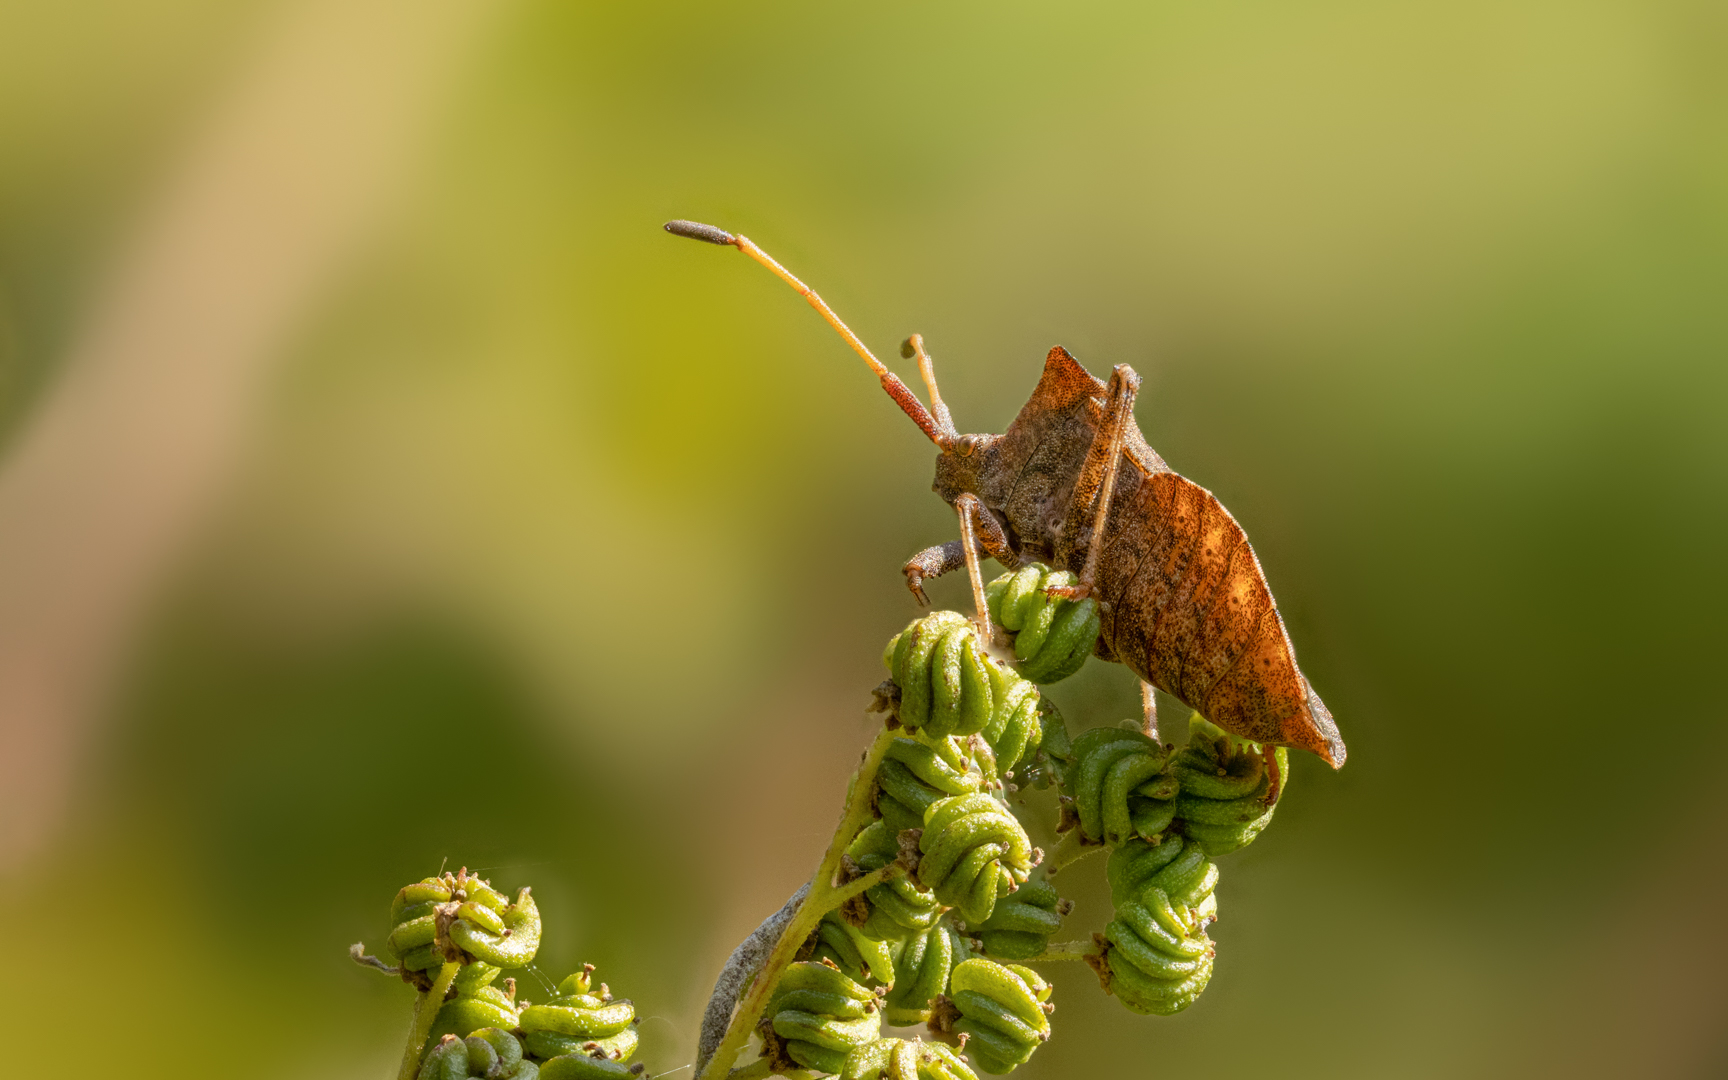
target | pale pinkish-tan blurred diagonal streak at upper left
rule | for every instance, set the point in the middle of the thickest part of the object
(122, 462)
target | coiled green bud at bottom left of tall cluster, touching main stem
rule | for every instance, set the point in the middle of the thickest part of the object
(816, 1019)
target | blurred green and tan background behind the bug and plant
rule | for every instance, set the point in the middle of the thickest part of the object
(502, 530)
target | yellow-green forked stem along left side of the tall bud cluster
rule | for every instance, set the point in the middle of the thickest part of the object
(825, 896)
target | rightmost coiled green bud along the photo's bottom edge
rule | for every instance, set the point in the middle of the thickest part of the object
(1001, 1010)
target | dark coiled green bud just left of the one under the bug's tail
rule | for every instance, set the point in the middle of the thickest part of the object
(1121, 785)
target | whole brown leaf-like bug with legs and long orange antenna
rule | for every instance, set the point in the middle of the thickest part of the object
(1074, 485)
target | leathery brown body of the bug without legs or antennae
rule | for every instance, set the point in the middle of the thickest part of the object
(1183, 599)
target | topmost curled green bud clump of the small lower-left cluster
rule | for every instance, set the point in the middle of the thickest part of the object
(461, 918)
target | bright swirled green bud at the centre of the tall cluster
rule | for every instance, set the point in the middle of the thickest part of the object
(974, 854)
